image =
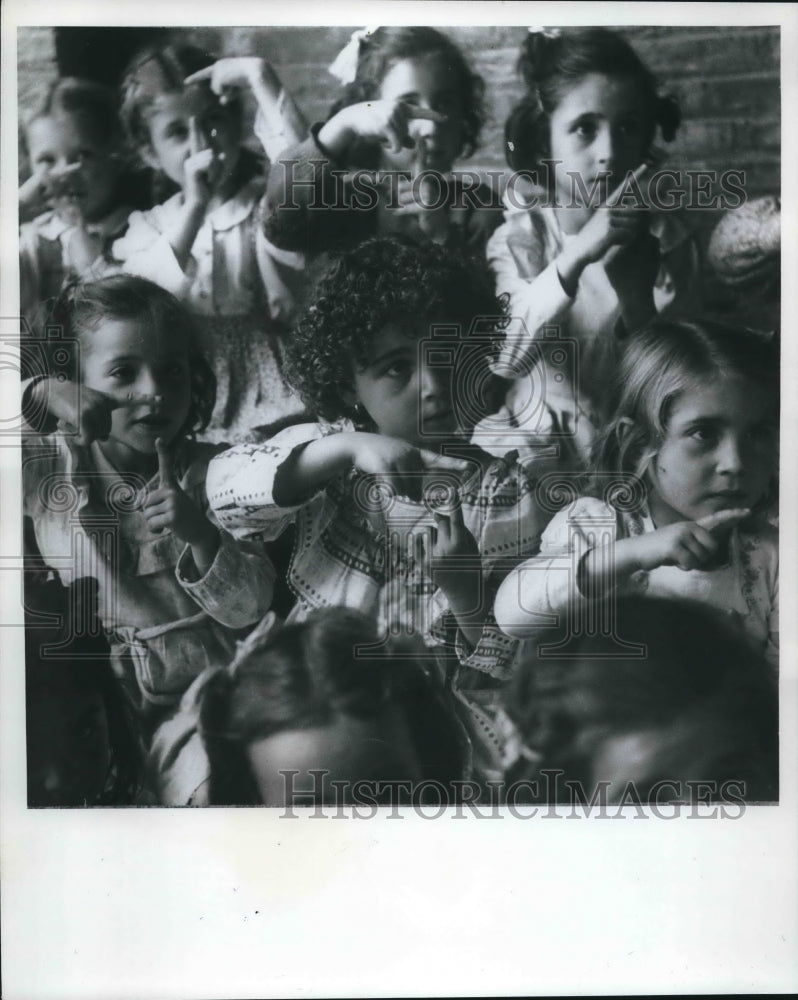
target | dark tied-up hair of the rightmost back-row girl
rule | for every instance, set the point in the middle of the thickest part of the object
(551, 64)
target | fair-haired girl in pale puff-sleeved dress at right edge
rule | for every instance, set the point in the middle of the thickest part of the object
(695, 426)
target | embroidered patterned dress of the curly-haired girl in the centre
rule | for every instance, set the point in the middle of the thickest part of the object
(350, 551)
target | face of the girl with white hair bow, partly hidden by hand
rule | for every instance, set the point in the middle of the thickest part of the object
(427, 82)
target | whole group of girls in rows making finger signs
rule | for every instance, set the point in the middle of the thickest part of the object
(308, 431)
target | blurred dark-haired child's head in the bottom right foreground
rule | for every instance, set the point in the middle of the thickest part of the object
(674, 682)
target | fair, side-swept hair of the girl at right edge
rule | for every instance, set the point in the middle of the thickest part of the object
(658, 364)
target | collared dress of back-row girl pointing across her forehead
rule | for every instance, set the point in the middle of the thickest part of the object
(241, 288)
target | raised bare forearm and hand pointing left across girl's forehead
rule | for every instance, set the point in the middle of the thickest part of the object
(279, 123)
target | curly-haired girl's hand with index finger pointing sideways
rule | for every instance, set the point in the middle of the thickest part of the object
(403, 466)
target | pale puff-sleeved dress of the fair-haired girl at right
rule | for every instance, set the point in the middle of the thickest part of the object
(747, 588)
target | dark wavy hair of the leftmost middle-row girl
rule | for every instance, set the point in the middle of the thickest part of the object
(82, 306)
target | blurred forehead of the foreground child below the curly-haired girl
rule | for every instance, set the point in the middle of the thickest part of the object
(347, 750)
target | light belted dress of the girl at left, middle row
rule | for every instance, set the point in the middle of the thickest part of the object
(166, 623)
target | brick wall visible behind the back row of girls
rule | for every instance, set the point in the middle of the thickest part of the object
(726, 78)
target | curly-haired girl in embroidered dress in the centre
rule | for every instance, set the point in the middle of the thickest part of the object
(386, 355)
